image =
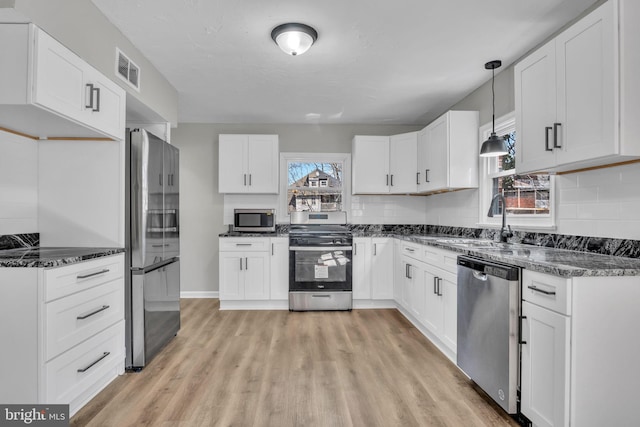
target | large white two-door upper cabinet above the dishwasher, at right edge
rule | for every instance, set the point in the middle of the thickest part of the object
(576, 101)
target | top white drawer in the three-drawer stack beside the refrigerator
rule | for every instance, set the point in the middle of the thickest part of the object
(61, 281)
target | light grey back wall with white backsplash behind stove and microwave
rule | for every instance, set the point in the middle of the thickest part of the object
(202, 207)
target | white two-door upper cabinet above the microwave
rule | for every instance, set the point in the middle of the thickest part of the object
(248, 164)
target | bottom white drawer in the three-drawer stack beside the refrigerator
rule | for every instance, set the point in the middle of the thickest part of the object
(100, 359)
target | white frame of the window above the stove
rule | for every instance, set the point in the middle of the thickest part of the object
(285, 158)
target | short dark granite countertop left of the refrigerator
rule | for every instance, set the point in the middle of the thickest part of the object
(51, 256)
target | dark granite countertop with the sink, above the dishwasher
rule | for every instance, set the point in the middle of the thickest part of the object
(558, 262)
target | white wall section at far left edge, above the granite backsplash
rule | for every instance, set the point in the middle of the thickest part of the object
(18, 184)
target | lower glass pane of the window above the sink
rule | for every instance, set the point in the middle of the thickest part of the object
(524, 194)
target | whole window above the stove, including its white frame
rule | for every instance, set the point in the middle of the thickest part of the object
(314, 182)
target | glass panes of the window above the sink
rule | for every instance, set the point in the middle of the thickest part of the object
(527, 194)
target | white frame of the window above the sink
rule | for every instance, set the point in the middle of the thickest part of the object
(505, 124)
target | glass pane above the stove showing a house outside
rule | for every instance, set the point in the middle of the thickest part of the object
(315, 187)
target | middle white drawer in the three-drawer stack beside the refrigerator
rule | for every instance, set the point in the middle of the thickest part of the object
(71, 320)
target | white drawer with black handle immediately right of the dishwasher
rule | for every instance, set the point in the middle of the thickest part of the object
(547, 291)
